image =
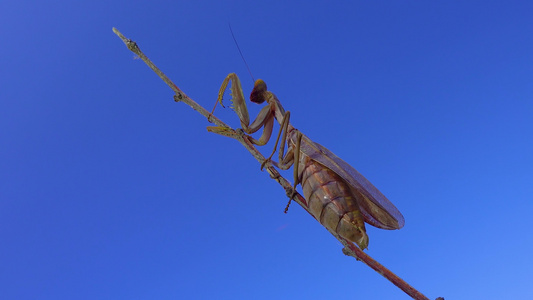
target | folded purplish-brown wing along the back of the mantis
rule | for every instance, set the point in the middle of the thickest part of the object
(377, 210)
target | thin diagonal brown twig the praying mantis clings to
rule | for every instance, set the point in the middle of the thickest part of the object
(349, 248)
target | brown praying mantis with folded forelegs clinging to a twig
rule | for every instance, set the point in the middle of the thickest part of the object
(337, 195)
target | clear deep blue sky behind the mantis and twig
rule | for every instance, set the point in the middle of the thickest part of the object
(110, 190)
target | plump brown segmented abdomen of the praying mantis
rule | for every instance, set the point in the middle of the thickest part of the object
(331, 201)
